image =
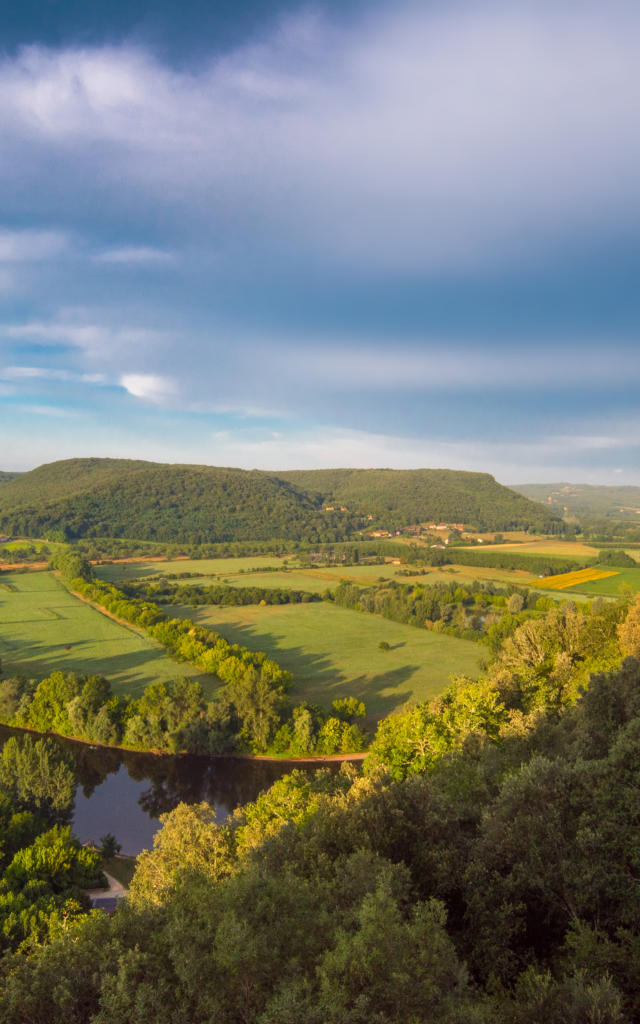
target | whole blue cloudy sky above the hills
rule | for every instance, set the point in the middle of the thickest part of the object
(347, 234)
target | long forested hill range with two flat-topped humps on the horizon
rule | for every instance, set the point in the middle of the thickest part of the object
(199, 504)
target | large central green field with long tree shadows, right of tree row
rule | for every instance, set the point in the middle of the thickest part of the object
(335, 653)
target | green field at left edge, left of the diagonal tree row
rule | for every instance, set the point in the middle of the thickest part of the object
(44, 628)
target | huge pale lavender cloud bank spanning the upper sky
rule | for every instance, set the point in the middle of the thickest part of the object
(423, 137)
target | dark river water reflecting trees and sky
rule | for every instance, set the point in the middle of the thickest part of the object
(125, 793)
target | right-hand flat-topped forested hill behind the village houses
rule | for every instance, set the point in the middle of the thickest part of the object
(420, 495)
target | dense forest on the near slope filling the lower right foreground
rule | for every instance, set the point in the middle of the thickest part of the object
(484, 869)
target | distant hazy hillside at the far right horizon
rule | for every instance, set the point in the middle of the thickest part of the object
(586, 500)
